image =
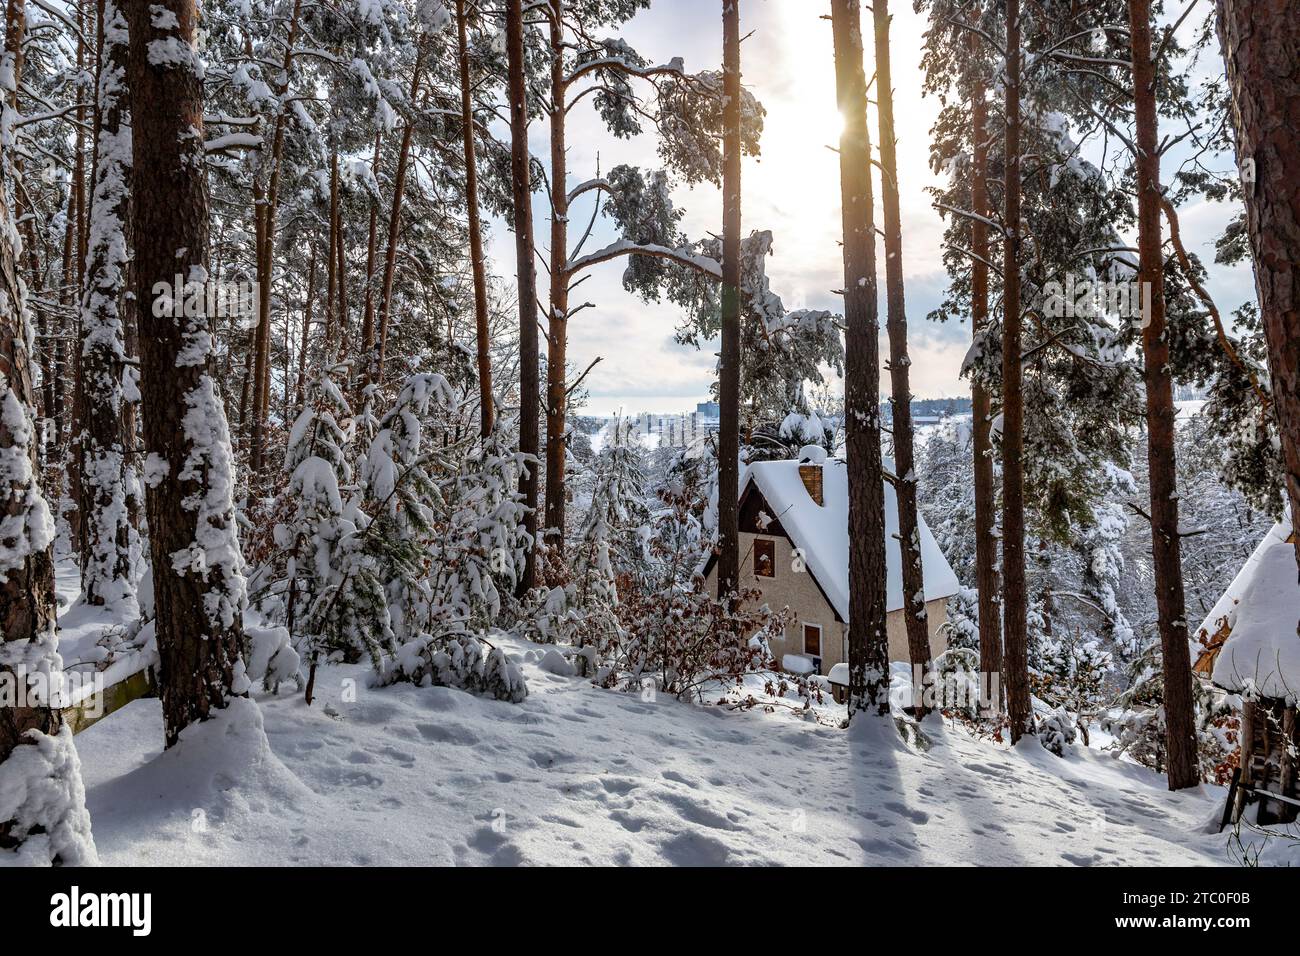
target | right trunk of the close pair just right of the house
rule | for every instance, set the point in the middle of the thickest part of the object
(1015, 602)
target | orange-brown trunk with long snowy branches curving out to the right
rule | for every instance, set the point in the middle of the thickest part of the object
(557, 319)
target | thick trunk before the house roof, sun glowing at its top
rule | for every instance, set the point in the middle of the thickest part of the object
(869, 646)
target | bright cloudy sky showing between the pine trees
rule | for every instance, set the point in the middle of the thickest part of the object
(792, 189)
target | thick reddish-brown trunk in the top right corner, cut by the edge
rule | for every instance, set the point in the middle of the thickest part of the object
(1262, 49)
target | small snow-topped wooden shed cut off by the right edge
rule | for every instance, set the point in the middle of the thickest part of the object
(1250, 644)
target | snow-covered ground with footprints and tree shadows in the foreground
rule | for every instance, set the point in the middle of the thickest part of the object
(583, 776)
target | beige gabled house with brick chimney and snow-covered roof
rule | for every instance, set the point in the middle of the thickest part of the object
(795, 550)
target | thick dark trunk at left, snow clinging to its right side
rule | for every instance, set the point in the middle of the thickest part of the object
(198, 579)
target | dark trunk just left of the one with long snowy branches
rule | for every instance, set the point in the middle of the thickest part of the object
(527, 274)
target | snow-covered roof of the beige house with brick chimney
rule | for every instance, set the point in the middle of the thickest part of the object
(822, 531)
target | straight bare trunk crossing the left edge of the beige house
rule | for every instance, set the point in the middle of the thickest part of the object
(729, 365)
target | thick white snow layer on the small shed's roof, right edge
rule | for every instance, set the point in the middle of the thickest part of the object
(1262, 611)
